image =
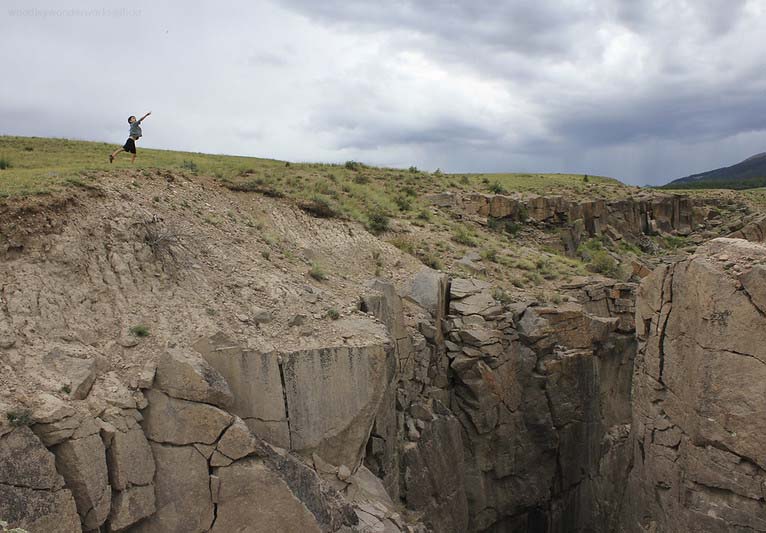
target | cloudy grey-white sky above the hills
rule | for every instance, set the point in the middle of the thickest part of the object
(642, 90)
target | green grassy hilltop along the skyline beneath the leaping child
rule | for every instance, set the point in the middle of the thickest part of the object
(32, 165)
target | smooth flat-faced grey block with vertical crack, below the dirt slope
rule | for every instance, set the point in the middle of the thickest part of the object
(319, 400)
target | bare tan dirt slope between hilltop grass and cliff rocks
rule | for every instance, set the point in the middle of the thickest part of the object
(116, 274)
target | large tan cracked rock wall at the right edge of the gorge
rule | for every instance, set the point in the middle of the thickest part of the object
(699, 398)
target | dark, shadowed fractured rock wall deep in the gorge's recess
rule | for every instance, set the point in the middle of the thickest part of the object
(512, 417)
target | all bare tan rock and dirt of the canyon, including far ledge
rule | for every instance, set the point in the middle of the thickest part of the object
(428, 403)
